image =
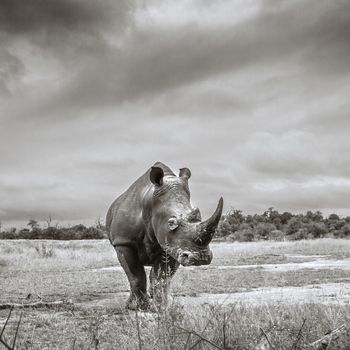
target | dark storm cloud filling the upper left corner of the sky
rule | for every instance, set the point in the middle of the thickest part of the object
(63, 30)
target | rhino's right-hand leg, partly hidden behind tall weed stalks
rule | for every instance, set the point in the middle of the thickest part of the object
(160, 277)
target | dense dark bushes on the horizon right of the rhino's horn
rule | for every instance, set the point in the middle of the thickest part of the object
(273, 225)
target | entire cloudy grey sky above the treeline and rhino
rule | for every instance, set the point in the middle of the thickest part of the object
(252, 96)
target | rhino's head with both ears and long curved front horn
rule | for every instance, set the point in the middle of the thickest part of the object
(176, 224)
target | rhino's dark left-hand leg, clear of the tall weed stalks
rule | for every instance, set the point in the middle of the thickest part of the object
(136, 274)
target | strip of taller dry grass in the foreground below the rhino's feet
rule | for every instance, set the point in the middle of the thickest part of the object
(237, 327)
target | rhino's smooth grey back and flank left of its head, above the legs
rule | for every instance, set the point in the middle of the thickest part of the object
(124, 220)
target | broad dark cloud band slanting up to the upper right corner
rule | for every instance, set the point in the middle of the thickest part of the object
(155, 59)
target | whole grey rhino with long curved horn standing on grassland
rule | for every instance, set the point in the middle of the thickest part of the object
(154, 224)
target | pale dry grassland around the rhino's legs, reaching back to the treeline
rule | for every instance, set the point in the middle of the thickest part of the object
(88, 274)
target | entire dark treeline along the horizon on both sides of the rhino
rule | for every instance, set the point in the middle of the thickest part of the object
(235, 226)
